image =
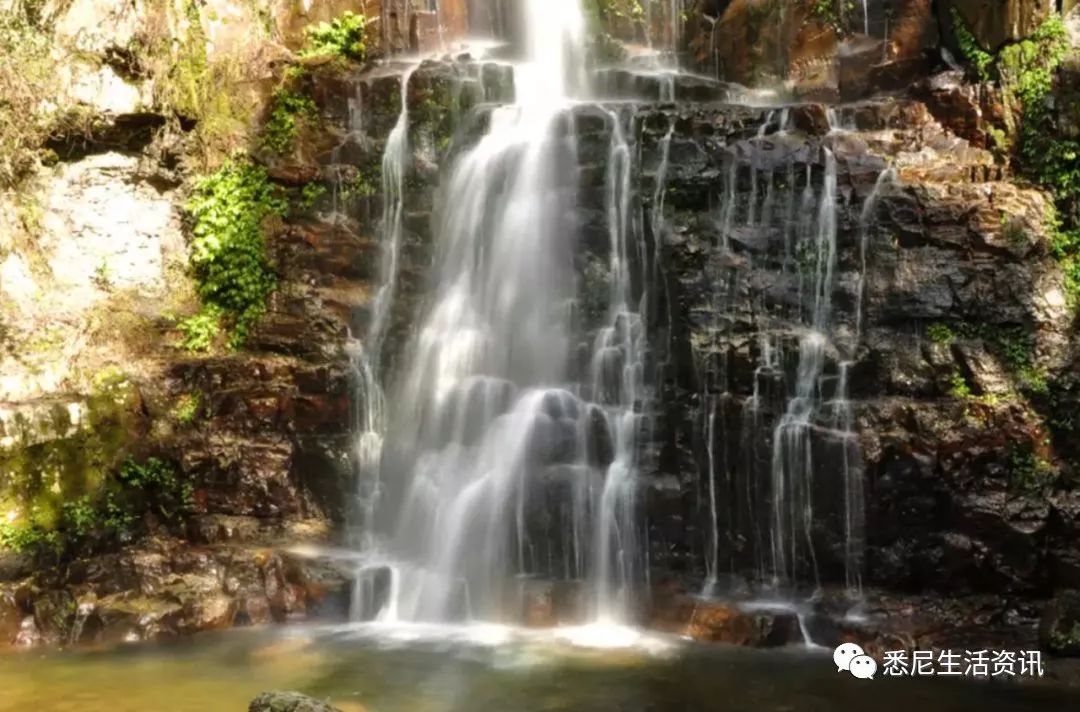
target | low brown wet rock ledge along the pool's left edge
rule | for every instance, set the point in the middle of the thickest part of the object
(169, 587)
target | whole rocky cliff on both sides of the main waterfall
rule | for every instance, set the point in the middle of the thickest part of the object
(876, 246)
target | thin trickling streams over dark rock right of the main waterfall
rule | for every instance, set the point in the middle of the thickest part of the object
(772, 495)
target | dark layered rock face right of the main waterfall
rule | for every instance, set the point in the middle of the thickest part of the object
(923, 244)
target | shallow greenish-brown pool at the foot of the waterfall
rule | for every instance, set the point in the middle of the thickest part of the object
(448, 671)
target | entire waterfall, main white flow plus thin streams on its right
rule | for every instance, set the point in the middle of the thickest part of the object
(508, 455)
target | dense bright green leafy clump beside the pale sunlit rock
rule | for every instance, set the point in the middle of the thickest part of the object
(233, 272)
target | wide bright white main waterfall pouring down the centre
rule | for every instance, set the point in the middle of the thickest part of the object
(495, 445)
